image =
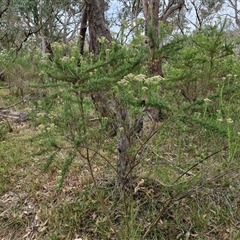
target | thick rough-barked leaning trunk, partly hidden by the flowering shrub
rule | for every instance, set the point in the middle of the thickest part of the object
(105, 103)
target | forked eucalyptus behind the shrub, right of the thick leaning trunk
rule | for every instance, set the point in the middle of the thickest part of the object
(149, 18)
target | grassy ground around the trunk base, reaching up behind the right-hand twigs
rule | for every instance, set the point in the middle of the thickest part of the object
(186, 184)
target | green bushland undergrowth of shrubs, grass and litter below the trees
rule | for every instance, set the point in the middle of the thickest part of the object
(178, 135)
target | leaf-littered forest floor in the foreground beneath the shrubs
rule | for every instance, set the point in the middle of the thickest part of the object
(32, 207)
